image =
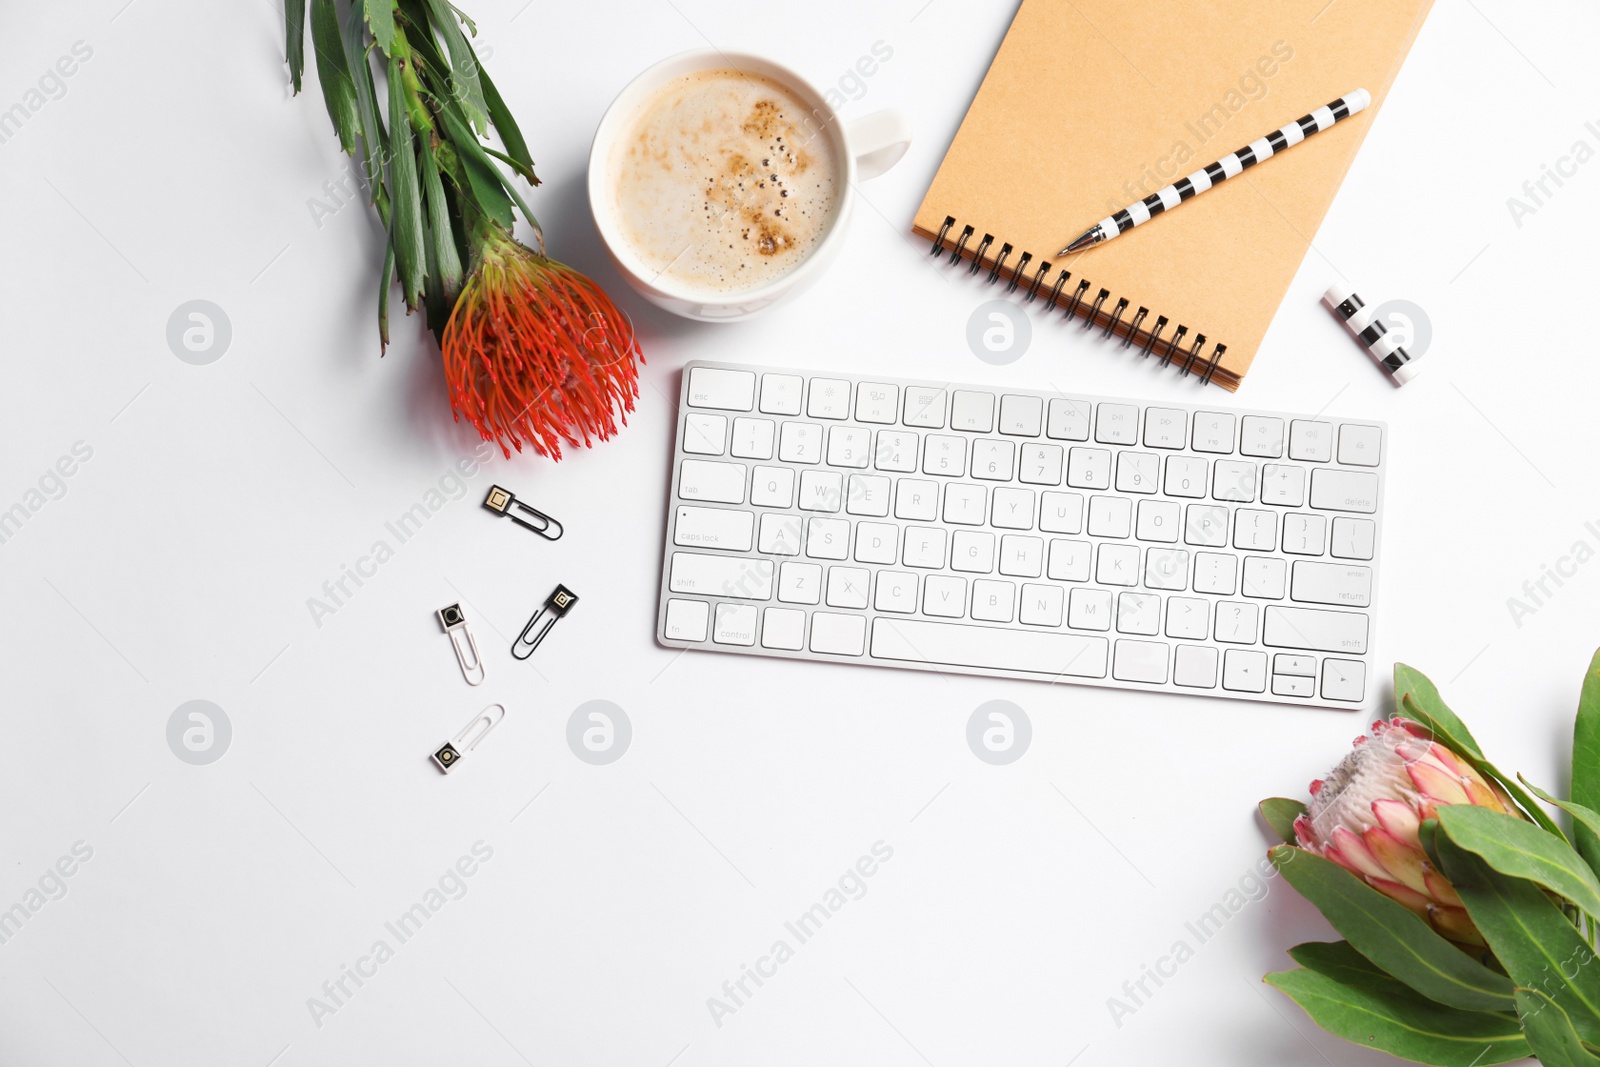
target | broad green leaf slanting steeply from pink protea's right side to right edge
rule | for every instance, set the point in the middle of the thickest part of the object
(1530, 935)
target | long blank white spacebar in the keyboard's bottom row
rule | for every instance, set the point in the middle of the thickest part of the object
(991, 649)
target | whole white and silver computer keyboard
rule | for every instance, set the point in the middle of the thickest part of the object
(1023, 535)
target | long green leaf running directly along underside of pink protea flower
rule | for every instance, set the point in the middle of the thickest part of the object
(1391, 937)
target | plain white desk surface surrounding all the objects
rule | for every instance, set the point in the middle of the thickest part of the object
(620, 898)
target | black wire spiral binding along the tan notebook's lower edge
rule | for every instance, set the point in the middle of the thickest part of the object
(1190, 359)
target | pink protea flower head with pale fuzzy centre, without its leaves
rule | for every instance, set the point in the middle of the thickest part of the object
(1367, 813)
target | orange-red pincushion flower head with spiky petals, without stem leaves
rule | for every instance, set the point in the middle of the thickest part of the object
(537, 354)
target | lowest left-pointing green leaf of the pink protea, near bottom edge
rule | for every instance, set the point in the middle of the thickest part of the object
(1401, 1023)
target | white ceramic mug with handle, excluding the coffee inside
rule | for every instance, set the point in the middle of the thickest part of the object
(866, 148)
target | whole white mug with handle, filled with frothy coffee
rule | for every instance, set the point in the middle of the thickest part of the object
(722, 183)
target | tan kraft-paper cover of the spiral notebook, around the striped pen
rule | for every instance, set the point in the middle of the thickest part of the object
(1092, 105)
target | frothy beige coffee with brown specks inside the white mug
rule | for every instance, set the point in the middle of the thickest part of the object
(726, 182)
